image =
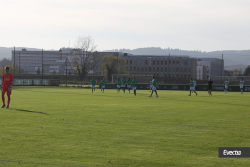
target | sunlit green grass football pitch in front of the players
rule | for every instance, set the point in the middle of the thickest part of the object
(60, 126)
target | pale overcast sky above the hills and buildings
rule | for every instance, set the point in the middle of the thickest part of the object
(205, 25)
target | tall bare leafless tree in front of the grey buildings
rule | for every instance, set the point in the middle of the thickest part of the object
(85, 56)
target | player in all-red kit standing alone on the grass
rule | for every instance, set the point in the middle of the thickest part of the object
(7, 81)
